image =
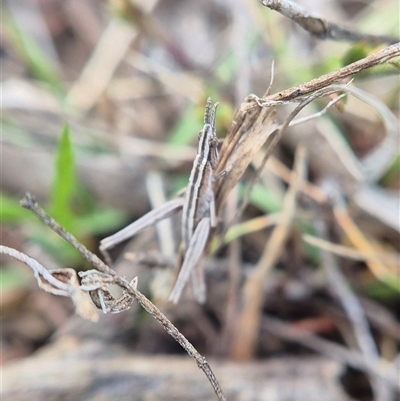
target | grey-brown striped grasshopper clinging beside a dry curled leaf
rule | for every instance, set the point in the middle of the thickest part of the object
(198, 212)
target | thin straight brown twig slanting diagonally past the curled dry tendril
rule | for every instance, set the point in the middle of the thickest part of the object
(29, 203)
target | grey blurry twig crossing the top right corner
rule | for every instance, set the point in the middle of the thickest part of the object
(321, 28)
